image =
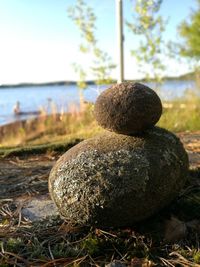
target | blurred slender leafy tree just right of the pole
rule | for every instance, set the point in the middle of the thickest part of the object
(149, 26)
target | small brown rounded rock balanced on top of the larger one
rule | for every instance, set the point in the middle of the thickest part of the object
(128, 108)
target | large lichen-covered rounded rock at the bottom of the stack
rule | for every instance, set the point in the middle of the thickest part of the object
(116, 180)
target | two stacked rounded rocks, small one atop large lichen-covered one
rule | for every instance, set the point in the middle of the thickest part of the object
(126, 174)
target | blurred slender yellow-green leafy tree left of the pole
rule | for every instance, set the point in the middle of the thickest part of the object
(85, 19)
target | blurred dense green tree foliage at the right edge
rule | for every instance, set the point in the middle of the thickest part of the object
(190, 32)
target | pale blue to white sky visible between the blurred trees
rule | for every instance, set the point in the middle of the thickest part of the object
(40, 43)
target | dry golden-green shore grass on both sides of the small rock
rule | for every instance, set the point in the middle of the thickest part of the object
(178, 116)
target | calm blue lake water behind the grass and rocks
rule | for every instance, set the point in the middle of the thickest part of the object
(33, 98)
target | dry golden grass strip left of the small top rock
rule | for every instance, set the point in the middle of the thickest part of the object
(51, 128)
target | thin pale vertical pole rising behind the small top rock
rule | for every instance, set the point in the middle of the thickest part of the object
(120, 40)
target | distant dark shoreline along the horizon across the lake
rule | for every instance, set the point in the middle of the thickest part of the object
(187, 76)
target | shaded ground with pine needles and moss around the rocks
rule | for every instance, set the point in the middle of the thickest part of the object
(24, 194)
